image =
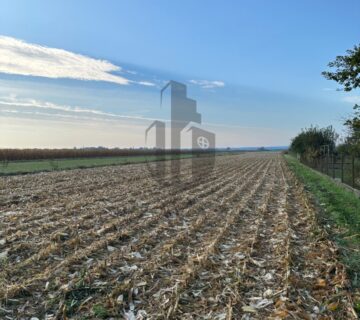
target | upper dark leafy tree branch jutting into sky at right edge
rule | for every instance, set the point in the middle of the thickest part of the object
(347, 71)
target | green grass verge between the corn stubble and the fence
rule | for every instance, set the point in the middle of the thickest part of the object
(339, 212)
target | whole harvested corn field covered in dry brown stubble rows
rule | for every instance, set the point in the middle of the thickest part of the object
(239, 242)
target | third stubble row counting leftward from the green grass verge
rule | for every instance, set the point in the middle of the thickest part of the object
(214, 292)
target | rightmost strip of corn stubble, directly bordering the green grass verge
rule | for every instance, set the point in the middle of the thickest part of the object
(317, 287)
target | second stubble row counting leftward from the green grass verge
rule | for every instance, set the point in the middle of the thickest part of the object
(264, 270)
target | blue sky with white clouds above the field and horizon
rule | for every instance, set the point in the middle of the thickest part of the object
(89, 73)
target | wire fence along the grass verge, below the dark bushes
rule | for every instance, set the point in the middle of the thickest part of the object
(345, 168)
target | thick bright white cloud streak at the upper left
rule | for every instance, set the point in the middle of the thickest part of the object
(22, 58)
